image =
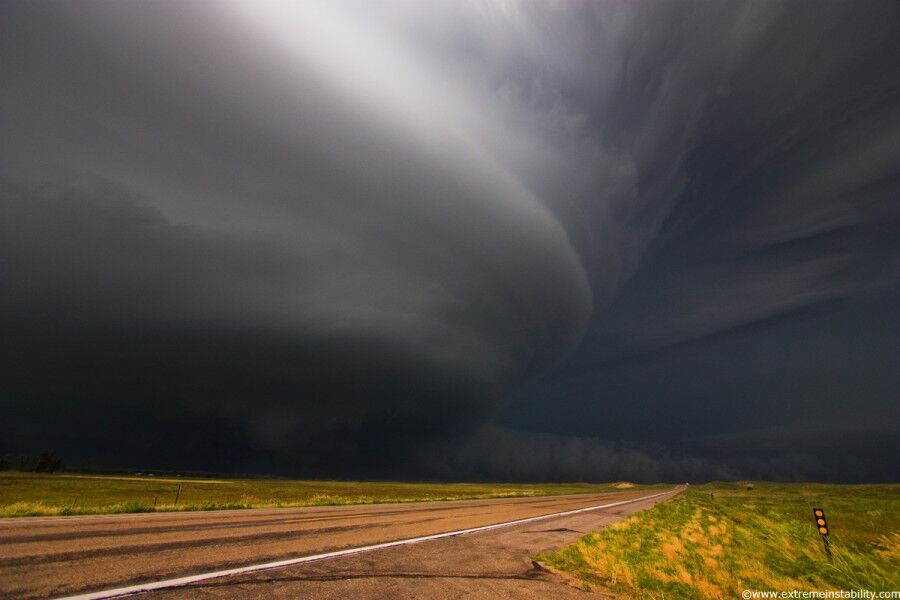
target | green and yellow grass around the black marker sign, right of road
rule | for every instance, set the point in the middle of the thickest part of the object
(716, 540)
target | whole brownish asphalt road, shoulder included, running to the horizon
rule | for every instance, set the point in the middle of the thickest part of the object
(46, 557)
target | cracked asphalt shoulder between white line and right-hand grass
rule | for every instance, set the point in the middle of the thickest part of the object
(493, 564)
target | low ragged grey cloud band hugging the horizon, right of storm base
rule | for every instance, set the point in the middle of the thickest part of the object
(808, 455)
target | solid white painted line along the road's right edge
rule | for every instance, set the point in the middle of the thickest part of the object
(182, 581)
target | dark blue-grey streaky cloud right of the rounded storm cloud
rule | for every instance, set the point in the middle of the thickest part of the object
(766, 298)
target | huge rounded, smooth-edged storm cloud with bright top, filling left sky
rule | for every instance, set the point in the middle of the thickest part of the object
(210, 242)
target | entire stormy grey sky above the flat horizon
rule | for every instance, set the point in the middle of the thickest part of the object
(559, 240)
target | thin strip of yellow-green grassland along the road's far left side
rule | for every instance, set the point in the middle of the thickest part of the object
(31, 494)
